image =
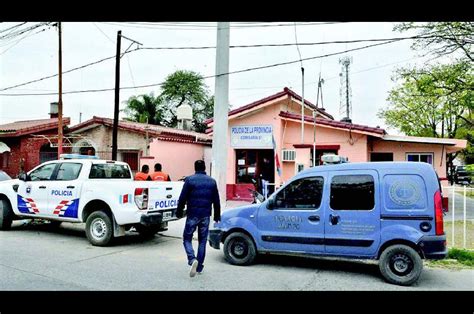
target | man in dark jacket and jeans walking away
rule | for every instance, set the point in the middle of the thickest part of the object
(199, 193)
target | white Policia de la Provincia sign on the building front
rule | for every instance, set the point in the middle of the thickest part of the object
(251, 136)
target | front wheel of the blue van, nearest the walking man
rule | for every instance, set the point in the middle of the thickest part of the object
(239, 249)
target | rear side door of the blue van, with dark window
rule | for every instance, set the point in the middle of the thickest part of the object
(352, 224)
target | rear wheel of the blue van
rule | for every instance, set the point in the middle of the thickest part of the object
(400, 265)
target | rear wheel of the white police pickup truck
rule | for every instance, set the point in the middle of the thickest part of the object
(99, 228)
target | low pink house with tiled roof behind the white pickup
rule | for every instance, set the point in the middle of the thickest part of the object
(141, 143)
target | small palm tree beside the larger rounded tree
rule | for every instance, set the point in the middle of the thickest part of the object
(144, 108)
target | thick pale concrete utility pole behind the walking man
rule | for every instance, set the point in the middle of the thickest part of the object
(221, 105)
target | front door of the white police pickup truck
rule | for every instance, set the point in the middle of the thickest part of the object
(33, 195)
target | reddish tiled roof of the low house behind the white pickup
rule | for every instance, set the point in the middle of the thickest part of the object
(161, 132)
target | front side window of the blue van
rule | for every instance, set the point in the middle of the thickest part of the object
(301, 194)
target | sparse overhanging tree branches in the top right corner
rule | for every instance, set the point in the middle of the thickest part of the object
(443, 38)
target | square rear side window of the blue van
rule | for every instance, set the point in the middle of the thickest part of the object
(352, 192)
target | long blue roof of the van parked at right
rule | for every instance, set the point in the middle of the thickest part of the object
(384, 165)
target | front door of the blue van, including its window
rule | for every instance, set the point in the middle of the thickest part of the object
(296, 223)
